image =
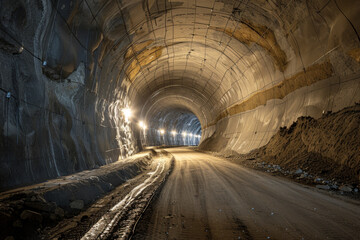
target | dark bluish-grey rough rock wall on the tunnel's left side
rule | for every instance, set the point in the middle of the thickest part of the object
(57, 117)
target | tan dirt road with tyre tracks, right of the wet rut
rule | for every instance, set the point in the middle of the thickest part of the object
(208, 198)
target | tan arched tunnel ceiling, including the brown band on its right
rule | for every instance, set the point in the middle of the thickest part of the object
(227, 51)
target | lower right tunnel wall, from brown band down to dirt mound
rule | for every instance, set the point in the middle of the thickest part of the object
(249, 130)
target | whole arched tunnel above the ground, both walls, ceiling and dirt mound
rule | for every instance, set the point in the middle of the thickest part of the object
(88, 83)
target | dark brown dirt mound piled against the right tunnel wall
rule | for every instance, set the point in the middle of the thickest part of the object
(327, 147)
